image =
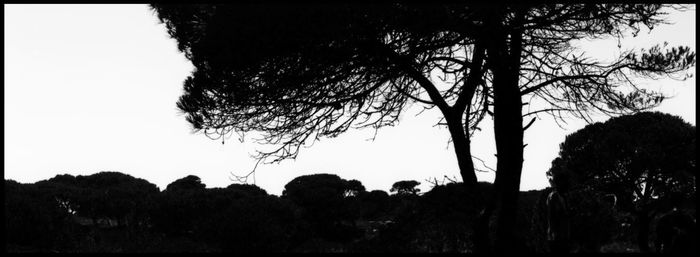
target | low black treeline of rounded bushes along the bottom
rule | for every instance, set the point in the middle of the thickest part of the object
(115, 212)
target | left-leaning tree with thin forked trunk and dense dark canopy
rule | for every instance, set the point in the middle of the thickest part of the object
(318, 70)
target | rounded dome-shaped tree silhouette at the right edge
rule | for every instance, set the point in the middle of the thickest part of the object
(647, 160)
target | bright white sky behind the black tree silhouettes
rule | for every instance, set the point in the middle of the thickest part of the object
(92, 88)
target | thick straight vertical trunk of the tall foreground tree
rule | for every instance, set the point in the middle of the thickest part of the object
(508, 130)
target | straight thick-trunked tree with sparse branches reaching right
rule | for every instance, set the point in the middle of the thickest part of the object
(530, 54)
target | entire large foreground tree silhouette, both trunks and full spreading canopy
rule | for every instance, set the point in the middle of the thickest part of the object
(323, 69)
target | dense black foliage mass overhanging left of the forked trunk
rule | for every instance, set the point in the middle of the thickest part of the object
(291, 84)
